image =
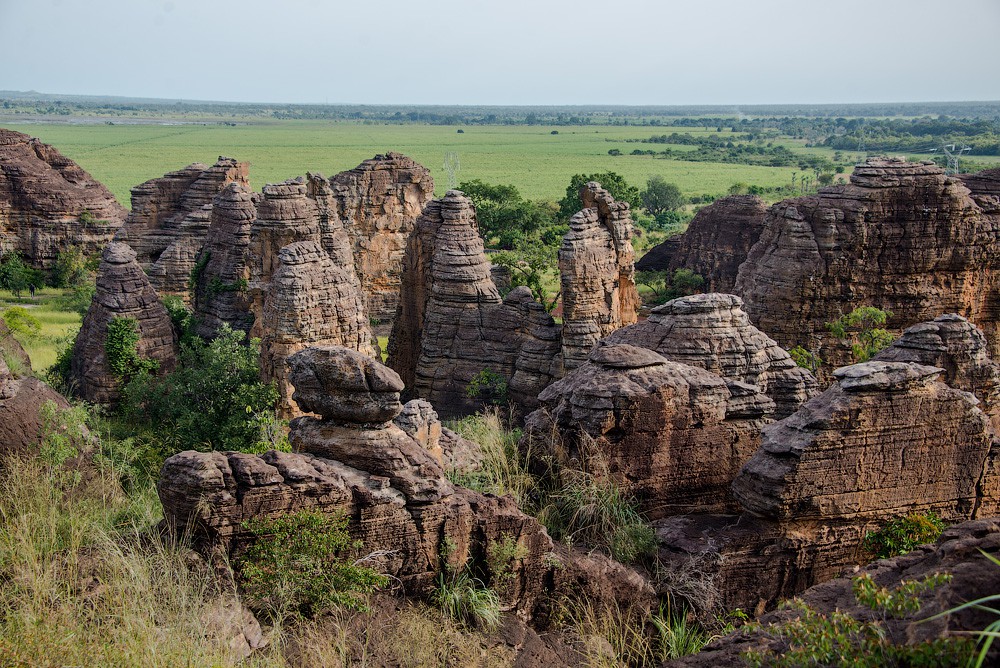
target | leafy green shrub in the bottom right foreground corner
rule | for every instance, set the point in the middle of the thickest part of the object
(837, 639)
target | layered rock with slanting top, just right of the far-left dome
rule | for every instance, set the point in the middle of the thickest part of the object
(160, 214)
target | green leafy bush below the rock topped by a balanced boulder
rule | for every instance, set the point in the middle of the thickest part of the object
(297, 565)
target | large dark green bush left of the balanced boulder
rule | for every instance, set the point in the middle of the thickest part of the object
(214, 400)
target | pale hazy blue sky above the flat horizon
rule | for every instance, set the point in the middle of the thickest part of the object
(509, 52)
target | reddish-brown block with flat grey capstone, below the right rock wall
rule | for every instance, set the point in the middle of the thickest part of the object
(887, 439)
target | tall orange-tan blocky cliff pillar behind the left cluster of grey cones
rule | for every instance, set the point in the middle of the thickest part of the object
(378, 203)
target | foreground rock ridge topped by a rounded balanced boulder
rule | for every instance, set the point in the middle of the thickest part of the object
(355, 460)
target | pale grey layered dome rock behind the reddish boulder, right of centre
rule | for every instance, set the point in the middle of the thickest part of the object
(712, 331)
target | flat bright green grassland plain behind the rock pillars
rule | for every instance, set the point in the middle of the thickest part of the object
(538, 162)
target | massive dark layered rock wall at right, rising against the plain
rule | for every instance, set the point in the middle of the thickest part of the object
(901, 236)
